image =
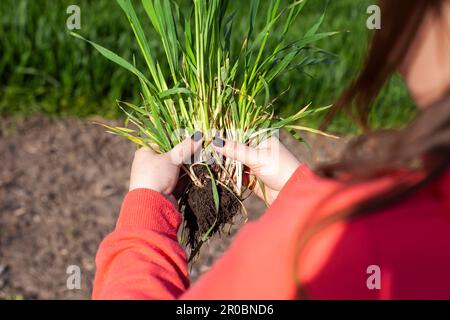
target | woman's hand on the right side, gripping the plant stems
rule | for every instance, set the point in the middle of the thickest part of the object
(270, 161)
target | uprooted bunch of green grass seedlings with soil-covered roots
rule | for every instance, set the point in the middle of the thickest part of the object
(215, 89)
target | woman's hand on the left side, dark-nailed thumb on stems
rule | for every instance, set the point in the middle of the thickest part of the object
(160, 172)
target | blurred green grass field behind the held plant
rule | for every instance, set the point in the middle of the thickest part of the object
(45, 70)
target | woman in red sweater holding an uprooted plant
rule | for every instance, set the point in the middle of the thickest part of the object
(374, 225)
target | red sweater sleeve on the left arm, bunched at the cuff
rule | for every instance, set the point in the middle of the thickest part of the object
(142, 258)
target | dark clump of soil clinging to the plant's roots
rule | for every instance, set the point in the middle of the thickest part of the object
(199, 209)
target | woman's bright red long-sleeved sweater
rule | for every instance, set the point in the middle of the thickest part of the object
(409, 242)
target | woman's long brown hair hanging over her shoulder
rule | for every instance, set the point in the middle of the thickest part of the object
(382, 152)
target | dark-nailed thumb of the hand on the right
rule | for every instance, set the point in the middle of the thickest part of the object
(237, 151)
